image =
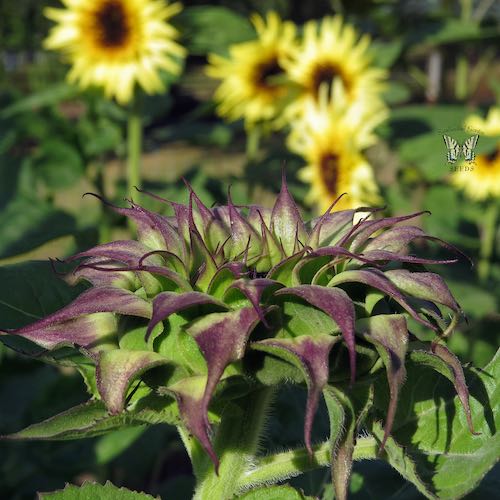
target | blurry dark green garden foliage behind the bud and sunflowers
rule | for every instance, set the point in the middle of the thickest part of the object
(57, 143)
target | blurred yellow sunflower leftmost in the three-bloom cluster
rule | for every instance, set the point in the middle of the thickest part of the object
(253, 78)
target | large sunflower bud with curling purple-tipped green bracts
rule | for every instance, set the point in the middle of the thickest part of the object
(209, 306)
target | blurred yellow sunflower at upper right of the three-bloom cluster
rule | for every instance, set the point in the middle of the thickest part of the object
(331, 50)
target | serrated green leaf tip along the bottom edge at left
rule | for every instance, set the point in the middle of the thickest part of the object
(94, 491)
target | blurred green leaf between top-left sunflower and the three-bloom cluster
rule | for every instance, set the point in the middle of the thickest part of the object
(202, 25)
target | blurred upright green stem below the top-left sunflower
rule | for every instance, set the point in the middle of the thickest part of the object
(134, 150)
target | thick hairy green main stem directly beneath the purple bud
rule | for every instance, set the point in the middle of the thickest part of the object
(236, 443)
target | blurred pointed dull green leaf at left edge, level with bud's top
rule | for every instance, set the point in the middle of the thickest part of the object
(28, 223)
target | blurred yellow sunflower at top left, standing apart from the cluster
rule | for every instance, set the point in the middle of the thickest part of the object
(114, 44)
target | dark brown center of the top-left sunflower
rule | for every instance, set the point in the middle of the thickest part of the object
(112, 24)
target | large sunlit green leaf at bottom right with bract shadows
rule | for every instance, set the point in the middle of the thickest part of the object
(432, 427)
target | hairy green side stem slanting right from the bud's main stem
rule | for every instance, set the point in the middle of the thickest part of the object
(282, 466)
